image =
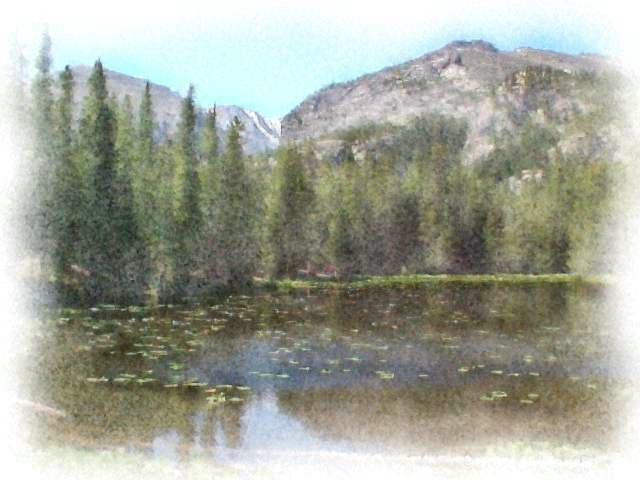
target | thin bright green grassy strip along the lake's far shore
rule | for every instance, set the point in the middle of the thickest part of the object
(427, 279)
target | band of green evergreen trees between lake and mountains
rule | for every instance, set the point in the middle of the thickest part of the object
(115, 214)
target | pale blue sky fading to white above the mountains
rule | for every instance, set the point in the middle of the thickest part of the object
(268, 56)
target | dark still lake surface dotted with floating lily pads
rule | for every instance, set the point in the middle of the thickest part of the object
(434, 370)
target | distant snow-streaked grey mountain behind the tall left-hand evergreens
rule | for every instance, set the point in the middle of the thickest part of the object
(260, 134)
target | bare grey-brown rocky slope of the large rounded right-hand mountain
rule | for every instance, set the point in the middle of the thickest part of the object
(492, 90)
